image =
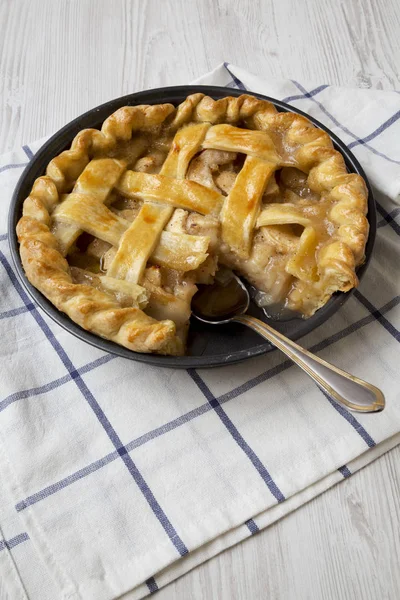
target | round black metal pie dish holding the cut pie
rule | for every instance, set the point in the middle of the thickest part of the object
(208, 346)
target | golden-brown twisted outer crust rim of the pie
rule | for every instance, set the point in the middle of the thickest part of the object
(297, 142)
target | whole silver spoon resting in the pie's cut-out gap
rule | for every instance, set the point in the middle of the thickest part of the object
(228, 302)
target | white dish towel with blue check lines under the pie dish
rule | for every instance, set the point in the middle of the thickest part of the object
(117, 477)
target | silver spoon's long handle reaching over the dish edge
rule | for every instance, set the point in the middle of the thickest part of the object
(346, 389)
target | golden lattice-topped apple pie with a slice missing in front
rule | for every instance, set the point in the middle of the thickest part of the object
(142, 220)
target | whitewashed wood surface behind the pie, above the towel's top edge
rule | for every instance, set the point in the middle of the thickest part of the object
(58, 59)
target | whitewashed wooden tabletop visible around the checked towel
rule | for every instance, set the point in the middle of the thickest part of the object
(58, 58)
